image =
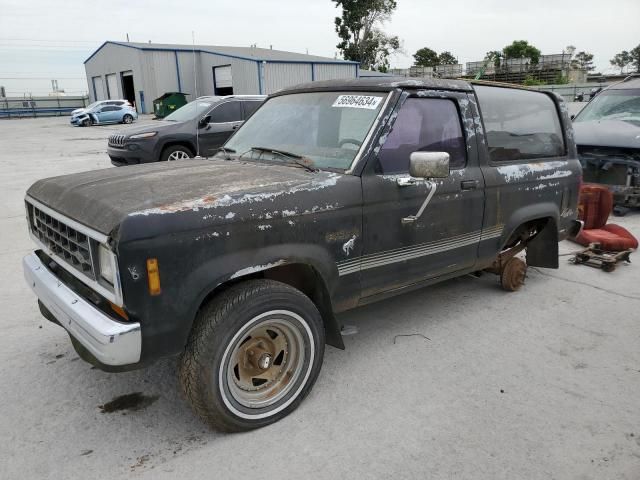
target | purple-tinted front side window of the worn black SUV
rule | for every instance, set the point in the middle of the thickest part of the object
(426, 125)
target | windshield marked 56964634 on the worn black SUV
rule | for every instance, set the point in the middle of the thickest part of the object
(326, 128)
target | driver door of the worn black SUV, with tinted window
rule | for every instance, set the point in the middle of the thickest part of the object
(445, 237)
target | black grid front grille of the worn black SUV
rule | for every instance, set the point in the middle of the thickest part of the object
(67, 243)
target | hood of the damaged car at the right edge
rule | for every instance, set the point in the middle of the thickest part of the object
(608, 133)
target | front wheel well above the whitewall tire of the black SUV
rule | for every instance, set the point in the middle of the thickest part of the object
(302, 277)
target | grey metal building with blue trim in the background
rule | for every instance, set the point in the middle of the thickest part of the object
(141, 72)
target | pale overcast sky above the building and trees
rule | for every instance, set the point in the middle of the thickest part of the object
(41, 40)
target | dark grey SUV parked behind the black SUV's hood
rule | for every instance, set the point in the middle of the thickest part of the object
(198, 128)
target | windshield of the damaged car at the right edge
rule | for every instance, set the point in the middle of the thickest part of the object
(613, 105)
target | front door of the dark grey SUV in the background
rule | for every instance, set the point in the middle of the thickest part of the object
(222, 121)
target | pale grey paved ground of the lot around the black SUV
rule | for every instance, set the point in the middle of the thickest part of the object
(539, 384)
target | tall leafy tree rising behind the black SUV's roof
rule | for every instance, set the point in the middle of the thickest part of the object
(362, 40)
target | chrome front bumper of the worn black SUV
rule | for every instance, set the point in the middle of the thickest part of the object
(111, 342)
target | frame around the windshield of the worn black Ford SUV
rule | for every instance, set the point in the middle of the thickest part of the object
(386, 97)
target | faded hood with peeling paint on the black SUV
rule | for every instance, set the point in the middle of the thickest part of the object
(195, 192)
